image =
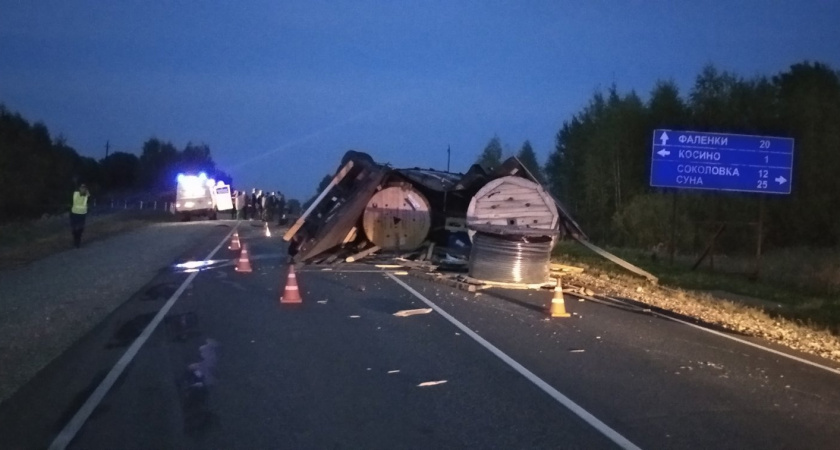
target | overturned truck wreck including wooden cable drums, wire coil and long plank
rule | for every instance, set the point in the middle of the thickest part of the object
(502, 222)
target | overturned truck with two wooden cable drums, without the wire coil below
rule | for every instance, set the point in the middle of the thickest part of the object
(372, 207)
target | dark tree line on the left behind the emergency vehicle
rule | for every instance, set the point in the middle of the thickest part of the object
(39, 171)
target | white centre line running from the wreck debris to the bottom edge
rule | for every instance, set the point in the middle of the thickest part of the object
(593, 421)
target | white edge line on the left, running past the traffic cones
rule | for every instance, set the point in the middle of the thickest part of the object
(72, 428)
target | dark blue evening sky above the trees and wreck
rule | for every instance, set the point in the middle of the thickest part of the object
(279, 90)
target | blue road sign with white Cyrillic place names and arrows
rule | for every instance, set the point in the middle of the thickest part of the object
(723, 162)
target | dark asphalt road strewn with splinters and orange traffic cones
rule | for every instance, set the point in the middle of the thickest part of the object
(341, 371)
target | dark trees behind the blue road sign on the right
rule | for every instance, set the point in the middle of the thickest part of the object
(600, 165)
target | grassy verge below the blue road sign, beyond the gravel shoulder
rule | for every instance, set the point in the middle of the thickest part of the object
(805, 282)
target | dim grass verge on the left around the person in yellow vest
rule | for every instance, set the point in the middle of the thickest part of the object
(24, 242)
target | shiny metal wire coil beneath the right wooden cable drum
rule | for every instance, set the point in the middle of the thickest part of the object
(510, 259)
